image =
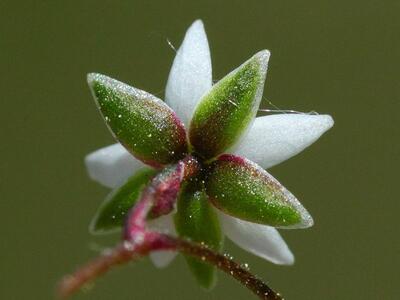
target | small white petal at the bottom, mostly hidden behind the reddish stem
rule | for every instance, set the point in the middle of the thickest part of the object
(163, 224)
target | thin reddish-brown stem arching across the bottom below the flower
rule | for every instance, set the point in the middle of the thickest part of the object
(128, 251)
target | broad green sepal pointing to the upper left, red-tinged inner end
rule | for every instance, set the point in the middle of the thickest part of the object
(142, 123)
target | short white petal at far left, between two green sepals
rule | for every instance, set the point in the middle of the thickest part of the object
(111, 165)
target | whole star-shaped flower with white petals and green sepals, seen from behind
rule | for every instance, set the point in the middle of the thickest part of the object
(231, 193)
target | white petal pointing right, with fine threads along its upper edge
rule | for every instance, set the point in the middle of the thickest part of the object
(273, 139)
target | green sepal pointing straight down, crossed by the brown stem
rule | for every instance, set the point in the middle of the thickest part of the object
(196, 220)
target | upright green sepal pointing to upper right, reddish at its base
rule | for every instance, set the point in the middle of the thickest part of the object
(224, 114)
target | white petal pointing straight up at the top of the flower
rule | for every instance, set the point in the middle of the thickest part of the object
(190, 76)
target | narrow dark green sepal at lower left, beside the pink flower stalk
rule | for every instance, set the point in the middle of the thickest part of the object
(112, 213)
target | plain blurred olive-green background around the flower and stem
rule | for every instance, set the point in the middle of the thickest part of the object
(337, 57)
